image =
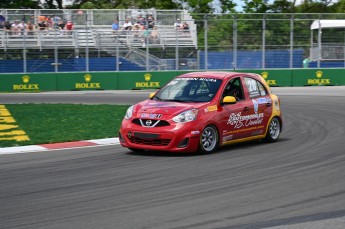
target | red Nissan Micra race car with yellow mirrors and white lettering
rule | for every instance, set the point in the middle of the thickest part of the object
(201, 111)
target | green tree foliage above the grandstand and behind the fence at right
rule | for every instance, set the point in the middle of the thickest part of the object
(221, 16)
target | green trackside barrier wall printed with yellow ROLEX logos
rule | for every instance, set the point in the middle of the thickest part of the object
(154, 80)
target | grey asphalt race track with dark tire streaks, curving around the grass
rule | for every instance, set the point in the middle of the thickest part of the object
(295, 183)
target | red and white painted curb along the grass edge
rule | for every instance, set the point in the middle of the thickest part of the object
(57, 146)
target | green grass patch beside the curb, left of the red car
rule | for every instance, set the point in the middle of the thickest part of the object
(51, 123)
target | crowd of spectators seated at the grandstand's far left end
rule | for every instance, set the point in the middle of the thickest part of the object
(44, 25)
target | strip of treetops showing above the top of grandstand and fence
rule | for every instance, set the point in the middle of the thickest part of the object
(194, 6)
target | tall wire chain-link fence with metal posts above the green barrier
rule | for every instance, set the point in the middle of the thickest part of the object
(155, 41)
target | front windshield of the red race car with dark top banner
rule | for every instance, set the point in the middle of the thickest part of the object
(189, 90)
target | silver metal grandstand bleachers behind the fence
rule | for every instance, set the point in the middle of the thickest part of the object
(92, 33)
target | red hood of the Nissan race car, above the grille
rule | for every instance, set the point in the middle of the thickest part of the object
(156, 109)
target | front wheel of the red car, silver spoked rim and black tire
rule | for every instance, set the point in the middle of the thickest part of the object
(209, 139)
